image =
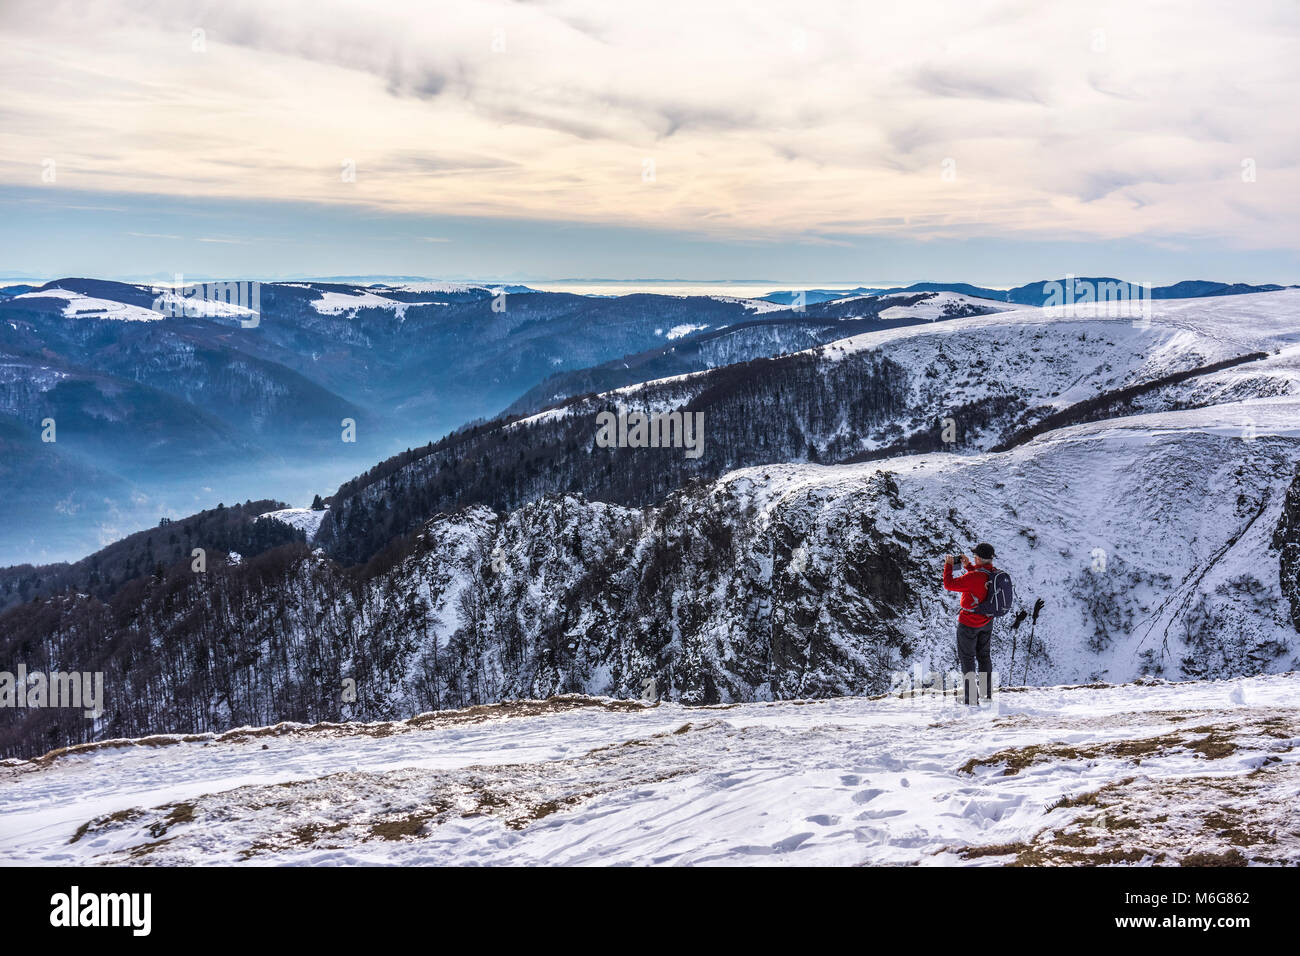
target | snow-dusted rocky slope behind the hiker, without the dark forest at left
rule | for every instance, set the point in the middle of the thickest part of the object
(1150, 540)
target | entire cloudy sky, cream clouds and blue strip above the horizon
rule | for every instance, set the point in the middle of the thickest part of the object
(803, 141)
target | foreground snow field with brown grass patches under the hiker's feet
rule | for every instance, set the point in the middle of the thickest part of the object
(1146, 773)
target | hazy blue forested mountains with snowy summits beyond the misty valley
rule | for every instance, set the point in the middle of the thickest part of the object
(158, 414)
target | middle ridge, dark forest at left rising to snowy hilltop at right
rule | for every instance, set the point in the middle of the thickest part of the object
(974, 383)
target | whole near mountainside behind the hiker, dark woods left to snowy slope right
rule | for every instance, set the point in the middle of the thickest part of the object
(788, 581)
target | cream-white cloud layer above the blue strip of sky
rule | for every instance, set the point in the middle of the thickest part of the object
(766, 120)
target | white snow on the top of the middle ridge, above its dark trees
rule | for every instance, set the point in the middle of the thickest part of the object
(1054, 358)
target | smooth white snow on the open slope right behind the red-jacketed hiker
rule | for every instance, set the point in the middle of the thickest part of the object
(1178, 507)
